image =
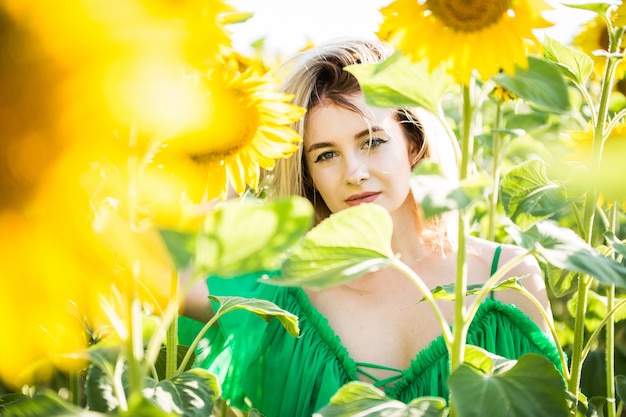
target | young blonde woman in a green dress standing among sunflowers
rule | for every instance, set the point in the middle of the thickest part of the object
(371, 329)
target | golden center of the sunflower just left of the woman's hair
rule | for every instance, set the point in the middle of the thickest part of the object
(230, 124)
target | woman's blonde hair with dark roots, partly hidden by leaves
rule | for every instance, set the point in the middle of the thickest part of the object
(317, 74)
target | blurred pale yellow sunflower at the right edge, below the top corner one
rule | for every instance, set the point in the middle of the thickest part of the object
(609, 180)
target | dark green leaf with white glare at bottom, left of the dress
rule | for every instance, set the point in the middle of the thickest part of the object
(189, 394)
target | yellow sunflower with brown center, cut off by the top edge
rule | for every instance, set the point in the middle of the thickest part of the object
(485, 36)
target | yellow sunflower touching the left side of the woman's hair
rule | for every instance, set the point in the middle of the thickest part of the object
(239, 125)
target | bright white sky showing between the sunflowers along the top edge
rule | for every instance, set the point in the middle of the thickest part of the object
(287, 24)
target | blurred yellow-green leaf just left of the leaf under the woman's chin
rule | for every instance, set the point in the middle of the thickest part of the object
(249, 236)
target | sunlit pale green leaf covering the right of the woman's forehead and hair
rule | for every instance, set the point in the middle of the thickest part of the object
(399, 82)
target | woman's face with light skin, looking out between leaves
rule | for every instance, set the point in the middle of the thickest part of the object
(354, 159)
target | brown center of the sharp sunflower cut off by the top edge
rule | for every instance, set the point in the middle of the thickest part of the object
(469, 15)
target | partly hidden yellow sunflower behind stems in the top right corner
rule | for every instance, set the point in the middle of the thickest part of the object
(594, 36)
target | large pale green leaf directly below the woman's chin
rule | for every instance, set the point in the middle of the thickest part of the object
(342, 247)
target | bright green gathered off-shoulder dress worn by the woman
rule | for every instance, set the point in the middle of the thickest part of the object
(259, 365)
